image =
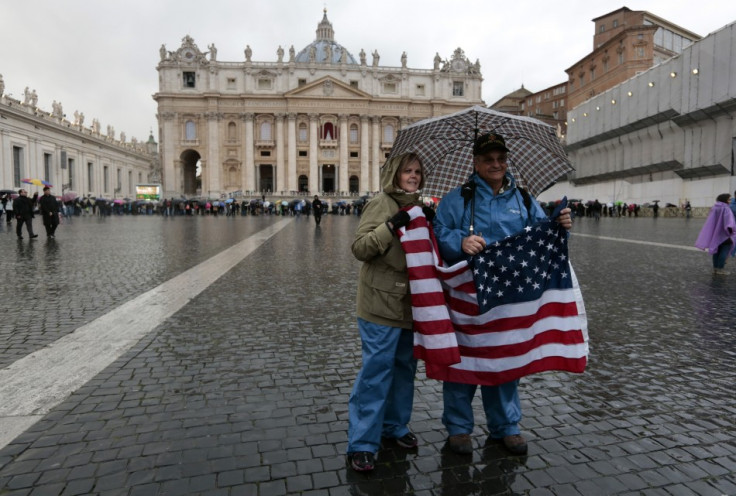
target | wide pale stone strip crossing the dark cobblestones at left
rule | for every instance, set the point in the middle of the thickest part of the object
(33, 385)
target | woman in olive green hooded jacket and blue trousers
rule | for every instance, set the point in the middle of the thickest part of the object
(382, 398)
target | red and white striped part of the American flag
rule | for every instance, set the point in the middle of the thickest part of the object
(509, 341)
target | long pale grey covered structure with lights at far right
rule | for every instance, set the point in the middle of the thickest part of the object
(666, 134)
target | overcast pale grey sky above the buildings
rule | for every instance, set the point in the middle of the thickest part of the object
(99, 56)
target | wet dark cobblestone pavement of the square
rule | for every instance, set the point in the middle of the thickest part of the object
(244, 390)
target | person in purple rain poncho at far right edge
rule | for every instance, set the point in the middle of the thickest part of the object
(718, 235)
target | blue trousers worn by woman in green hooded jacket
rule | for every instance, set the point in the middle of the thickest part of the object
(383, 394)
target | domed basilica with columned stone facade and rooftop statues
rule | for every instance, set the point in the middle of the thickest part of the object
(316, 120)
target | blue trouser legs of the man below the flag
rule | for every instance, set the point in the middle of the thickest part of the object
(501, 404)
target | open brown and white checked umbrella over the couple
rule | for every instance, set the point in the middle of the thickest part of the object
(445, 146)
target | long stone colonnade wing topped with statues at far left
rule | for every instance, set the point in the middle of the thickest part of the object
(72, 156)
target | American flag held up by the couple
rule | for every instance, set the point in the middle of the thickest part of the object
(515, 310)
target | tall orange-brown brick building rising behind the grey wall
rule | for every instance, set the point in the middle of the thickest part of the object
(626, 43)
